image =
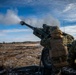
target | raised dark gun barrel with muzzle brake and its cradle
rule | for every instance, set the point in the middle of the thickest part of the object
(39, 32)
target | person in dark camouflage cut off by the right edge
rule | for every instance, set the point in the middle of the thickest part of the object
(72, 54)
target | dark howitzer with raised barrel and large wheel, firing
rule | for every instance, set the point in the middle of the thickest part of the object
(42, 33)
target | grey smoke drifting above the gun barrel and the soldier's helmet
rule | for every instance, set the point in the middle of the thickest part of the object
(38, 22)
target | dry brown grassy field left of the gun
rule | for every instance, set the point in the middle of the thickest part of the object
(20, 54)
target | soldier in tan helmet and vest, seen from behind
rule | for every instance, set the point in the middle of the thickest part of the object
(57, 50)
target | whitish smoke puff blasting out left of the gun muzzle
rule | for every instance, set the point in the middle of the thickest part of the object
(10, 17)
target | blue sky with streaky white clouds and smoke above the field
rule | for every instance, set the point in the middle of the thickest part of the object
(35, 12)
